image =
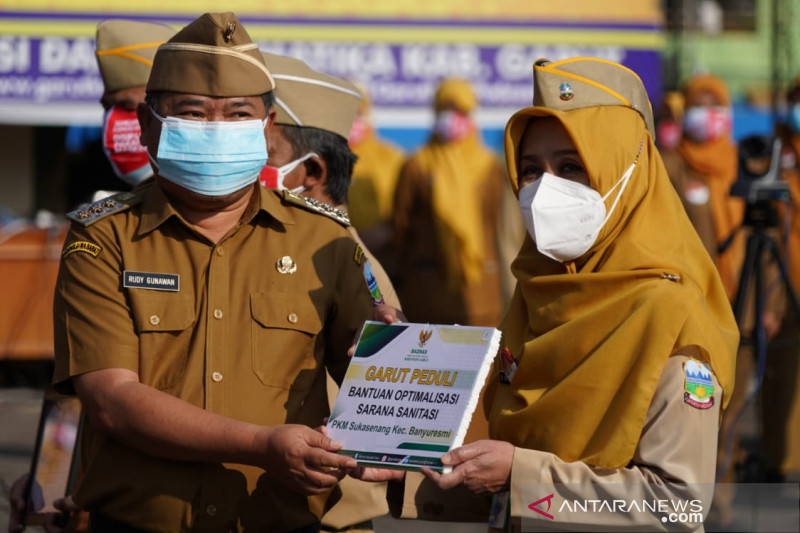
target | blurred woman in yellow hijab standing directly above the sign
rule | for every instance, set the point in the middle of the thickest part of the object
(445, 219)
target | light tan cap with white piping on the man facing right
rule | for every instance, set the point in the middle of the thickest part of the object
(309, 98)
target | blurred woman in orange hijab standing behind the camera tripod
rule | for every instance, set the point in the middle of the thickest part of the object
(703, 167)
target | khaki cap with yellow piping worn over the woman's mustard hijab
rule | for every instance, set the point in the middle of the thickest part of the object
(588, 82)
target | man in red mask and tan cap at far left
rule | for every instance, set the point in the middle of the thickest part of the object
(124, 52)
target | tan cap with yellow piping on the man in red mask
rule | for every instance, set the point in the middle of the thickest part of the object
(125, 51)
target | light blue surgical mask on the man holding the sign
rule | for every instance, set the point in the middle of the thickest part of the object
(211, 158)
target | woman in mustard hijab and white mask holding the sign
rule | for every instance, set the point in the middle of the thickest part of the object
(619, 347)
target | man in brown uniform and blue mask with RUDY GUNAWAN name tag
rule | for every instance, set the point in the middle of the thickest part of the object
(195, 318)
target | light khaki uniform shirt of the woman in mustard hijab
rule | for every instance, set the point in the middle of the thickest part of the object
(678, 444)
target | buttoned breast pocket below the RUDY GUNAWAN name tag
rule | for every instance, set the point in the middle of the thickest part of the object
(164, 322)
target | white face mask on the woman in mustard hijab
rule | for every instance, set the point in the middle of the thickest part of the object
(564, 217)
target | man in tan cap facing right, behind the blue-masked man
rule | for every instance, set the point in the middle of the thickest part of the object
(310, 154)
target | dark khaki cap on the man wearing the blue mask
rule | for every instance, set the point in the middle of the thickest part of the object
(212, 56)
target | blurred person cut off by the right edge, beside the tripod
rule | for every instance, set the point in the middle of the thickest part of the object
(781, 391)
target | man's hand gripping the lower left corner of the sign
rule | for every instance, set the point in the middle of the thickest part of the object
(302, 458)
